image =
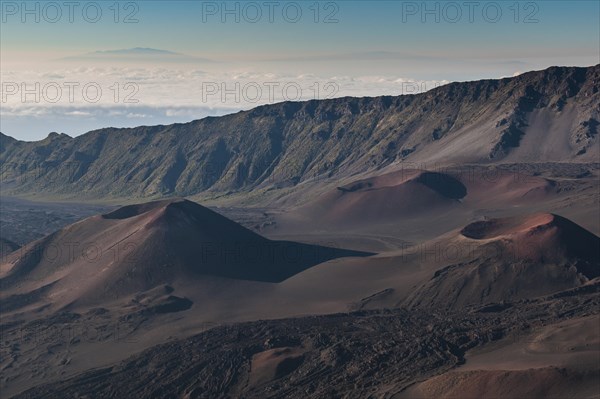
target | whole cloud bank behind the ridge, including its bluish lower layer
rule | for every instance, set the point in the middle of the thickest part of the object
(96, 97)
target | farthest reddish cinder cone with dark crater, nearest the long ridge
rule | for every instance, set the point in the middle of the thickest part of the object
(420, 194)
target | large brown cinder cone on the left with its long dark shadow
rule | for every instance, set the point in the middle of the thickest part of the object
(138, 247)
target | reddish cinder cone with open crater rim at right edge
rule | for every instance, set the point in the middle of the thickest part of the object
(512, 258)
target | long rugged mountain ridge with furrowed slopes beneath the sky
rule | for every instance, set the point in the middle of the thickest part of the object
(550, 115)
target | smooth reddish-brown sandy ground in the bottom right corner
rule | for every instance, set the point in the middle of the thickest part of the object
(557, 361)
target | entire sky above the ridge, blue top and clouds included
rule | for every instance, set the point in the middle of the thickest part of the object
(71, 66)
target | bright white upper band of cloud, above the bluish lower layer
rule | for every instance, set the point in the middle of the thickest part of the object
(236, 89)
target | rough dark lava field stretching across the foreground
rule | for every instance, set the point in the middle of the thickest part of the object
(362, 354)
